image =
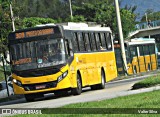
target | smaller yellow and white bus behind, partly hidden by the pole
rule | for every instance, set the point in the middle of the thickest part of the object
(141, 56)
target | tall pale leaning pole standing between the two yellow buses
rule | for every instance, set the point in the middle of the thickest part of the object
(120, 34)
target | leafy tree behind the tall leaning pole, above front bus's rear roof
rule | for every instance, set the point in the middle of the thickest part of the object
(103, 12)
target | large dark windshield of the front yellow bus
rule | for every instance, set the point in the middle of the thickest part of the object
(37, 54)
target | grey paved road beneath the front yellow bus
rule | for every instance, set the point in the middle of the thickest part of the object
(113, 89)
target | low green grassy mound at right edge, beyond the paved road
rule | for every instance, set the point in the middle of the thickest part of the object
(148, 82)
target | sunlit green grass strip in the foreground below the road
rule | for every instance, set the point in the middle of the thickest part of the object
(123, 105)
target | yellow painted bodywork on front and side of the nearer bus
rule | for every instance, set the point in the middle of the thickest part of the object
(89, 65)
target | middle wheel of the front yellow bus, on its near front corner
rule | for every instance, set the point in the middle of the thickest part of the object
(78, 89)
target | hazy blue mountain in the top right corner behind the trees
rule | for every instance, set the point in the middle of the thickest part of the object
(142, 6)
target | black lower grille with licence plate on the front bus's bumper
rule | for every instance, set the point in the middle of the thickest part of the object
(39, 86)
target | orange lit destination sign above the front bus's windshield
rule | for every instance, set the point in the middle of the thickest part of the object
(34, 33)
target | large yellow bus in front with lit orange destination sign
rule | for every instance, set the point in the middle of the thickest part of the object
(58, 58)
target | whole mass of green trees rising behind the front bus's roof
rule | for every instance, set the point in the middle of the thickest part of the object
(30, 13)
